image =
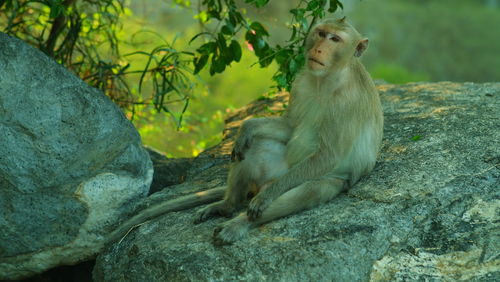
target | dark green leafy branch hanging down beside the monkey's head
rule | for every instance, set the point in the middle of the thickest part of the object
(289, 57)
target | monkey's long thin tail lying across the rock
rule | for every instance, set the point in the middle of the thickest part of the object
(181, 203)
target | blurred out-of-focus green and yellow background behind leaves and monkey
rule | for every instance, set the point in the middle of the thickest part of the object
(410, 40)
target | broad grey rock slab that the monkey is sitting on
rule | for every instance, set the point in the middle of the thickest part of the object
(430, 210)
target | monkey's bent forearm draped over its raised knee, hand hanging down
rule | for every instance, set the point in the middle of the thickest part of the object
(276, 128)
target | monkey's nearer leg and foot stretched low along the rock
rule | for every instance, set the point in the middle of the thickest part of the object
(304, 196)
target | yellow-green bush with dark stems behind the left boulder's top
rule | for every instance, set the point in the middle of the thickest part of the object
(74, 33)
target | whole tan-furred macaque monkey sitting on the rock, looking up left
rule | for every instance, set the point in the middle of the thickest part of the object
(328, 138)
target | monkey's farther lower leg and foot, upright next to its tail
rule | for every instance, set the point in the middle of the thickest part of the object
(238, 185)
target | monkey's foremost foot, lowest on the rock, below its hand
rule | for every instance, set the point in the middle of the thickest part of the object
(231, 231)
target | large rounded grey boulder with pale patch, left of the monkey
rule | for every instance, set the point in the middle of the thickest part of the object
(70, 164)
